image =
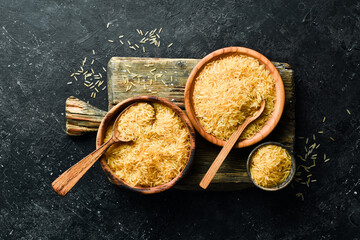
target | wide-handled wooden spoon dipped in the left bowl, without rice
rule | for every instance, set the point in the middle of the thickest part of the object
(66, 181)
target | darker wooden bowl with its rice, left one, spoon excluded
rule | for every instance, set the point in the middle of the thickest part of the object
(161, 154)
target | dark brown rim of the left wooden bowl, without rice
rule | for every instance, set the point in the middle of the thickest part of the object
(111, 116)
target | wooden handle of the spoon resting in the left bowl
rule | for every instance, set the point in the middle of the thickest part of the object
(66, 181)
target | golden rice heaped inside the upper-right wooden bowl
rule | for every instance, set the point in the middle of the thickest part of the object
(230, 89)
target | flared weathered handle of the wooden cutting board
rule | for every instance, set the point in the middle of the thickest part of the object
(81, 117)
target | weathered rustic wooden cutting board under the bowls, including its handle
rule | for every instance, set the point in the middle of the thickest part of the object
(166, 77)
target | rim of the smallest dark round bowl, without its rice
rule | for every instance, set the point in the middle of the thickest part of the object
(289, 178)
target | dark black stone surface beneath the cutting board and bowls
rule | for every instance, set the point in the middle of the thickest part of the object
(43, 42)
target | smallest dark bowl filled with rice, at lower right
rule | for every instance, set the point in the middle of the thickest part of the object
(271, 166)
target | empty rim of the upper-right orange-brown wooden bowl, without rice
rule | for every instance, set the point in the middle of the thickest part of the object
(278, 108)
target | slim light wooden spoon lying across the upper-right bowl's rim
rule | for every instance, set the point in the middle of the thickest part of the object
(227, 148)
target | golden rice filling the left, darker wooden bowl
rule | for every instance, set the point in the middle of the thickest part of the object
(159, 152)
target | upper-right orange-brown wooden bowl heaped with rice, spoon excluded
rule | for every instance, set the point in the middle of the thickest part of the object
(226, 87)
